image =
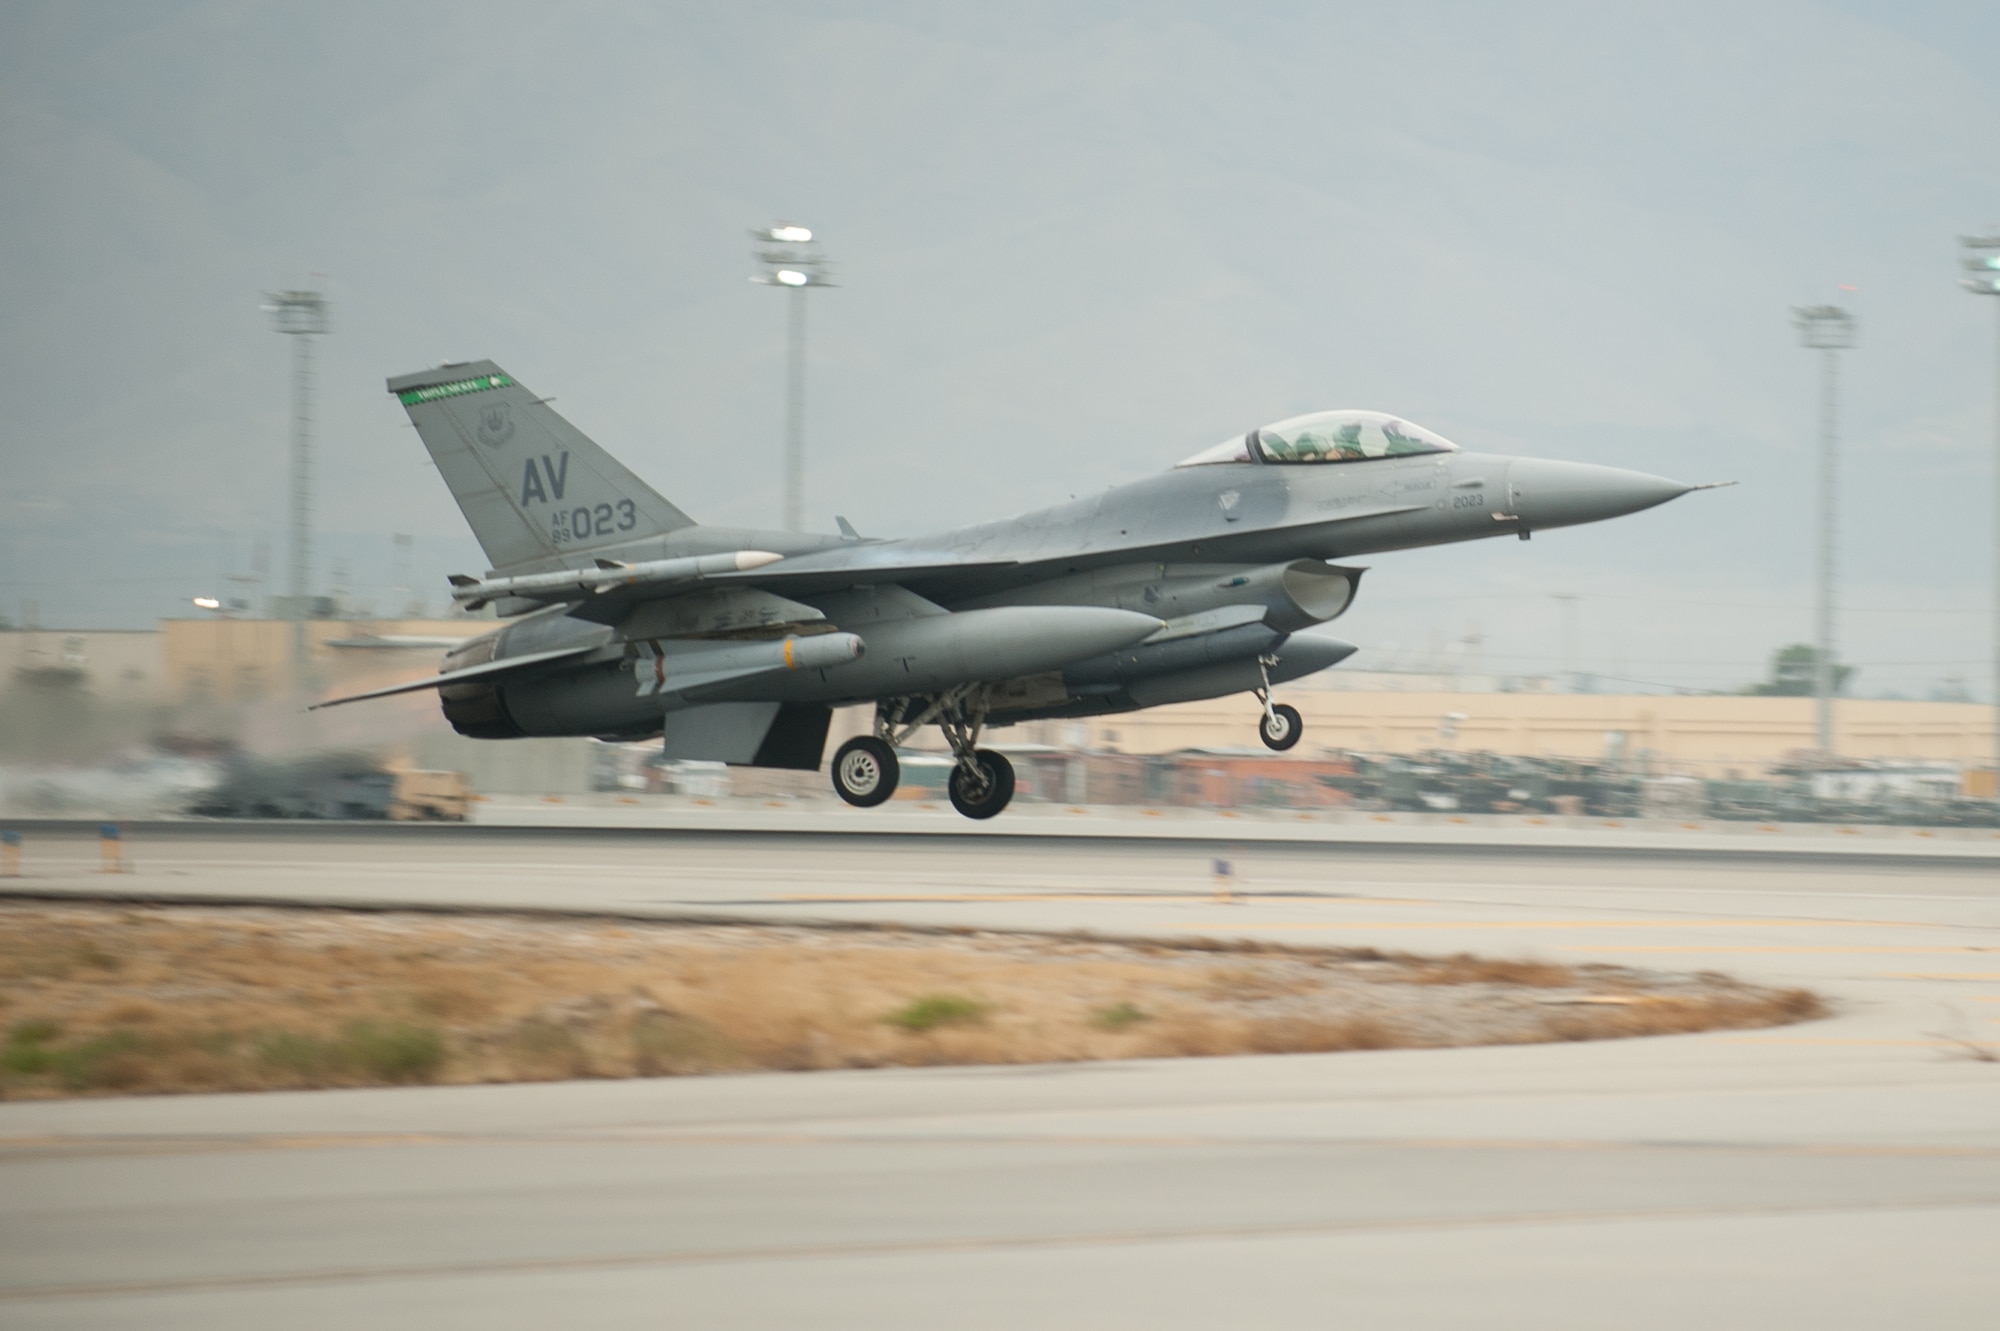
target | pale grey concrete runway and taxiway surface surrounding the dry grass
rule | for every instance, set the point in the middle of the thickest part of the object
(1843, 1174)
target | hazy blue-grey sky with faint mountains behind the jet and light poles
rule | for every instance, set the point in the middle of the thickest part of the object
(1075, 241)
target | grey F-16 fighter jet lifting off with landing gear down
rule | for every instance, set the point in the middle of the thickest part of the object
(629, 621)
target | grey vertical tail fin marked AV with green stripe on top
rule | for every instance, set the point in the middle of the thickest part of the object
(531, 485)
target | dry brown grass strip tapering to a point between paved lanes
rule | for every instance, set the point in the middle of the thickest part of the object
(99, 1000)
